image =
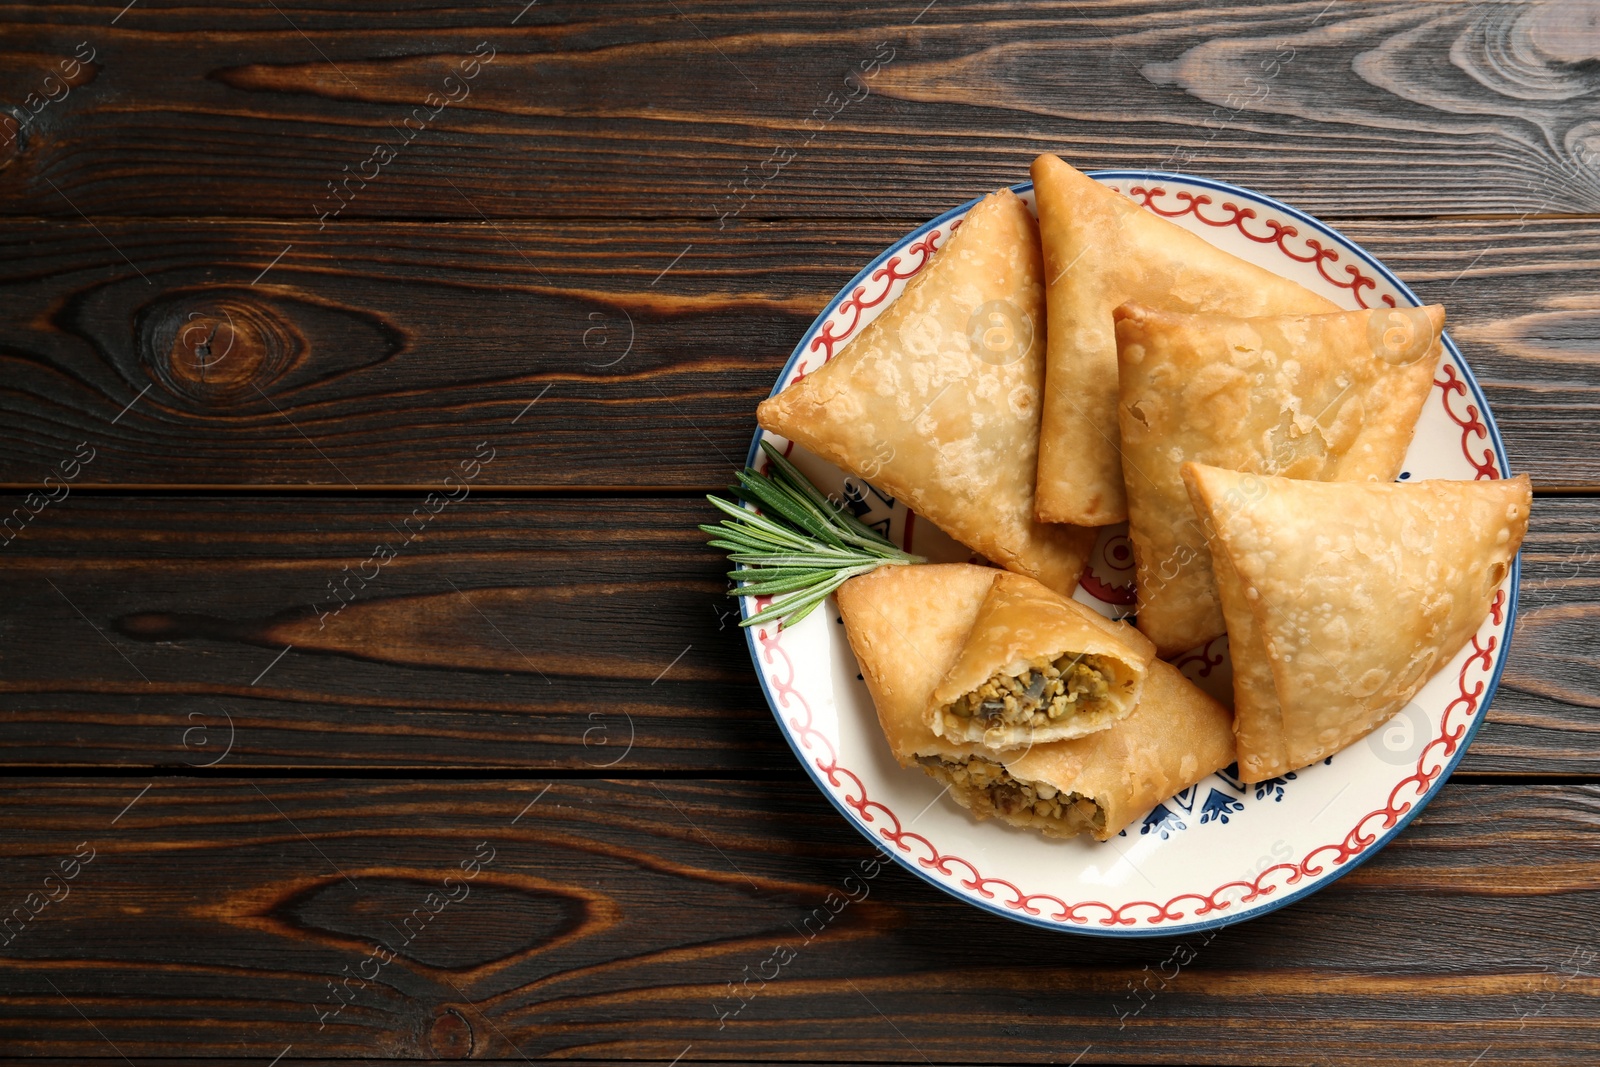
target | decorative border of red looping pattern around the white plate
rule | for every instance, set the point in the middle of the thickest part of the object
(1478, 682)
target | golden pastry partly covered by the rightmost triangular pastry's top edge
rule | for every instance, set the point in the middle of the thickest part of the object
(1322, 398)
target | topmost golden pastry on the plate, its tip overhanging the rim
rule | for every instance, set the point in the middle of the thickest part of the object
(1103, 250)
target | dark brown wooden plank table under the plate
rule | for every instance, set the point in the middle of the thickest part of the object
(498, 289)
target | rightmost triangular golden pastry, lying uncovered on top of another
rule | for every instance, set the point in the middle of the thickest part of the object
(1345, 597)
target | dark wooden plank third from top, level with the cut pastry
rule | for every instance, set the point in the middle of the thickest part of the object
(522, 634)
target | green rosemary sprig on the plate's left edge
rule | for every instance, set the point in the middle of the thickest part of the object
(801, 548)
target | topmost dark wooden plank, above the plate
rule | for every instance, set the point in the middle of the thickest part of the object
(647, 111)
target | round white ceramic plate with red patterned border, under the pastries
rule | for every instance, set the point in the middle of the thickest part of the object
(1220, 852)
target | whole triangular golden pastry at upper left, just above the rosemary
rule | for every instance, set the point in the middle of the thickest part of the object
(937, 401)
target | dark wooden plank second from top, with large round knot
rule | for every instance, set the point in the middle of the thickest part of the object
(383, 354)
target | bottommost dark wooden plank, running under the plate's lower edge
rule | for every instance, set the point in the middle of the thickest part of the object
(614, 917)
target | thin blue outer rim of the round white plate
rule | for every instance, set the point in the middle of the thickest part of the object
(1383, 839)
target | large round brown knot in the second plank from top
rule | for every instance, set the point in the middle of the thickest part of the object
(215, 348)
